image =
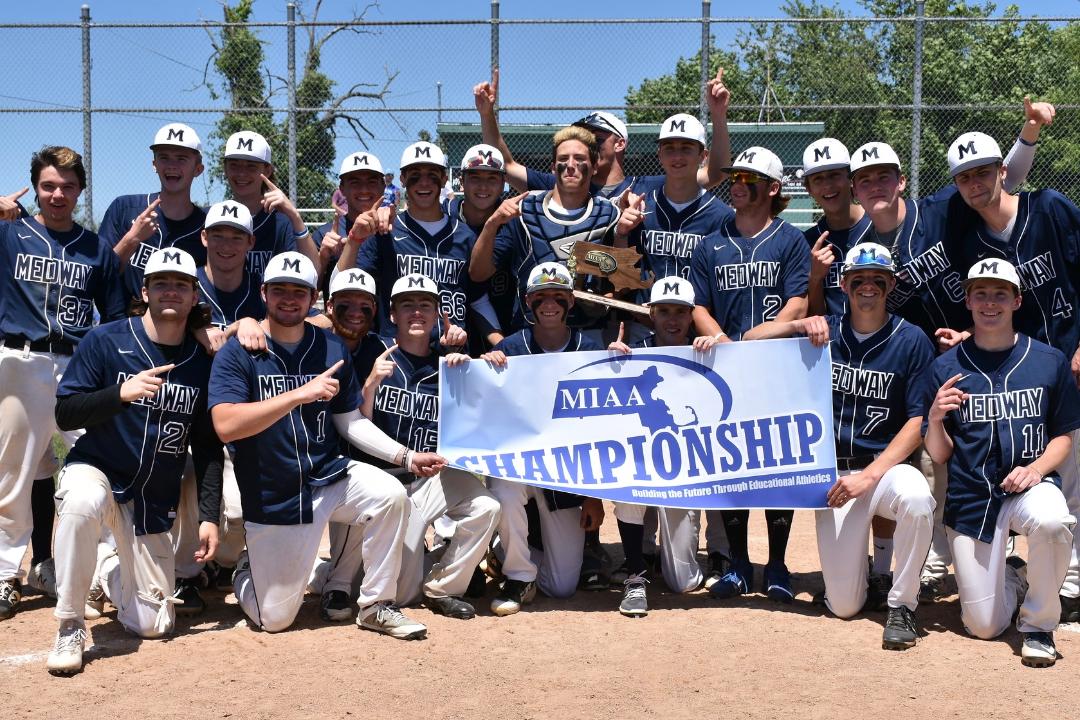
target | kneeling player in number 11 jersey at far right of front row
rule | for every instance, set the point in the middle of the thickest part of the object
(1002, 407)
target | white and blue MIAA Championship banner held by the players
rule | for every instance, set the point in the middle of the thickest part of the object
(748, 425)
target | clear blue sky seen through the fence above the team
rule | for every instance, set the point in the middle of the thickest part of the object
(158, 69)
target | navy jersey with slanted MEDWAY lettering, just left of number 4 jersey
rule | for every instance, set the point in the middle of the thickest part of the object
(929, 290)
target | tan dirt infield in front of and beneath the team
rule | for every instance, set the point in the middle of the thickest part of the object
(692, 658)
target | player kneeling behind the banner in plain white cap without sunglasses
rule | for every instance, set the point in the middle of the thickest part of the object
(671, 308)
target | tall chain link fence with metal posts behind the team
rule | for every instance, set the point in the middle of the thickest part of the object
(321, 89)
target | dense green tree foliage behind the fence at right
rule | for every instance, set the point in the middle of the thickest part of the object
(975, 77)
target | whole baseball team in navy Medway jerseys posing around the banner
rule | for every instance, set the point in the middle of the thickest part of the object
(233, 386)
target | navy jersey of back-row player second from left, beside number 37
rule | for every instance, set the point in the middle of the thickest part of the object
(185, 234)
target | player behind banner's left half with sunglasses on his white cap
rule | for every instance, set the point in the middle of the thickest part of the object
(564, 518)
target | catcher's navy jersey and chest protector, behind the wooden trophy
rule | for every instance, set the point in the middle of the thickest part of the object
(543, 235)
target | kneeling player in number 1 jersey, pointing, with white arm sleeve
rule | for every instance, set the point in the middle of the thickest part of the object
(283, 411)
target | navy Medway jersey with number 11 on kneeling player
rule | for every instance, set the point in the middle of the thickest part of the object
(1019, 401)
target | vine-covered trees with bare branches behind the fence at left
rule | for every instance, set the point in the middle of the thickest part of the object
(239, 62)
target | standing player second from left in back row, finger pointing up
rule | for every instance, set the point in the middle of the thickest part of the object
(136, 226)
